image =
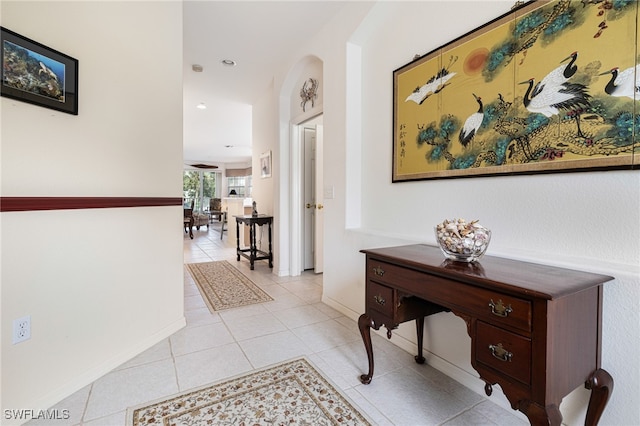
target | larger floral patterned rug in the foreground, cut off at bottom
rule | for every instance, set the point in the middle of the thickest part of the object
(293, 392)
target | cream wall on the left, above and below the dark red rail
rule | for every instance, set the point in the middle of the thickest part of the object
(101, 285)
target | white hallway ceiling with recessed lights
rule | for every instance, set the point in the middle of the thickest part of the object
(259, 36)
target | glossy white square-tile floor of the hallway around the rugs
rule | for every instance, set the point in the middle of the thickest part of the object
(215, 346)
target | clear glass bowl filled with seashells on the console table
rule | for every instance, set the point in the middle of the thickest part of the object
(462, 241)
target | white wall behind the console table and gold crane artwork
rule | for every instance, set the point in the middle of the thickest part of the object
(562, 219)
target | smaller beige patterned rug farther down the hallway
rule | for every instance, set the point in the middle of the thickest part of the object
(223, 287)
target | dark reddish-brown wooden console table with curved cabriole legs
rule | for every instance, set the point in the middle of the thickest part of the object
(535, 330)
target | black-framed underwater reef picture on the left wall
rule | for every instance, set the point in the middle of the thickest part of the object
(37, 74)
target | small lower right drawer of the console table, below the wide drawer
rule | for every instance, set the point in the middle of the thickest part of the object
(506, 352)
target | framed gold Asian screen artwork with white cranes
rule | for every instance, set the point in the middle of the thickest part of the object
(539, 89)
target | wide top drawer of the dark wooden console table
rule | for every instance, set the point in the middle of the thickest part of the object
(492, 306)
